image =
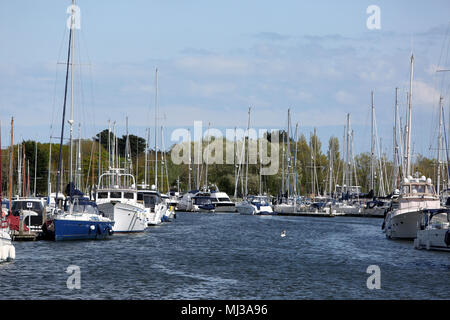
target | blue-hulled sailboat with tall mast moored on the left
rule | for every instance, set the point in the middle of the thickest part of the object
(78, 217)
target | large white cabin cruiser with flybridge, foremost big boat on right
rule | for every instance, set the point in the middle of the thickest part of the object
(405, 213)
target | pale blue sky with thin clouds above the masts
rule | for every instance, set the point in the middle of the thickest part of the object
(215, 59)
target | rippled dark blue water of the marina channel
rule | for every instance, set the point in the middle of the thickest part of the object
(226, 256)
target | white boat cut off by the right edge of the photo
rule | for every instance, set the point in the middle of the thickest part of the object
(434, 234)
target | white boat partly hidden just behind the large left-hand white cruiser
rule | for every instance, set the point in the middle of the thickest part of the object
(155, 206)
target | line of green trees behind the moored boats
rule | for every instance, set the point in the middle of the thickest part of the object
(309, 169)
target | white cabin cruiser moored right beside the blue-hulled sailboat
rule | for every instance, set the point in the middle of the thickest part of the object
(116, 197)
